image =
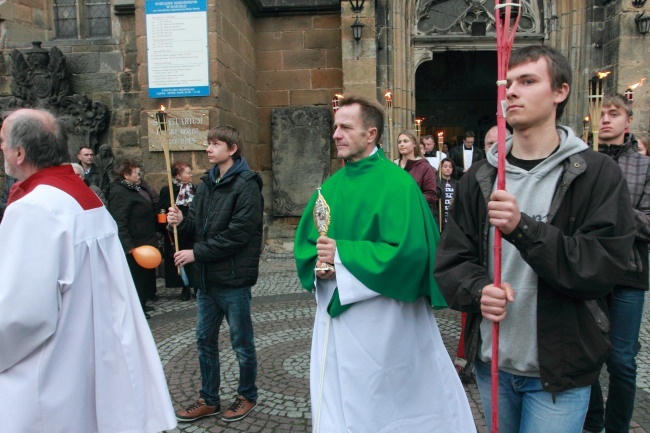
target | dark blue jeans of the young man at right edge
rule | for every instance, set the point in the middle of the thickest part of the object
(625, 312)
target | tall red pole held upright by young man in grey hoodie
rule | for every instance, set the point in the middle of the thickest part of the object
(506, 20)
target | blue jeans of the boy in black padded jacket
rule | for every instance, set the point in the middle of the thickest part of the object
(235, 305)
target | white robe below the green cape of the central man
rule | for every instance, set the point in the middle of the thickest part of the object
(381, 366)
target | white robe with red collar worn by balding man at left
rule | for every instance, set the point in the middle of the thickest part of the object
(76, 353)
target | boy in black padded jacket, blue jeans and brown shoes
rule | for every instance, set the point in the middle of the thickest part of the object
(225, 224)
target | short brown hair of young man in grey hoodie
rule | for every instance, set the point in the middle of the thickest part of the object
(559, 68)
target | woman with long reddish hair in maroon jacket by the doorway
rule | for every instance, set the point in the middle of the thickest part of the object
(418, 167)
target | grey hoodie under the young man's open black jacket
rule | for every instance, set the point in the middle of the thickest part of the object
(534, 191)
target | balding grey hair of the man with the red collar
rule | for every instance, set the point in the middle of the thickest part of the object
(41, 134)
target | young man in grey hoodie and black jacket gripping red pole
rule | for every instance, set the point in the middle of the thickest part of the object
(565, 244)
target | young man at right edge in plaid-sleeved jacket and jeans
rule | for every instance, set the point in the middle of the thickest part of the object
(626, 301)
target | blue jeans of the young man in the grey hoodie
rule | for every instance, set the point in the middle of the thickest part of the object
(524, 407)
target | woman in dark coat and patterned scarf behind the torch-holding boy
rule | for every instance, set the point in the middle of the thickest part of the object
(183, 191)
